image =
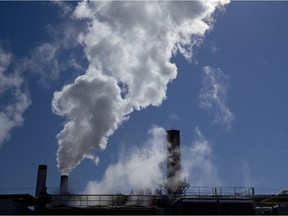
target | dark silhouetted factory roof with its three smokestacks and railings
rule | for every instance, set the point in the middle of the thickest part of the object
(174, 197)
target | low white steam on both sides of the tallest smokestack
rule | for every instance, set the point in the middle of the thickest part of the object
(145, 167)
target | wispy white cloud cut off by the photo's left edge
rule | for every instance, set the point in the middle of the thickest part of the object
(13, 94)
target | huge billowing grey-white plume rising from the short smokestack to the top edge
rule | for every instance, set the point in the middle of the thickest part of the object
(129, 46)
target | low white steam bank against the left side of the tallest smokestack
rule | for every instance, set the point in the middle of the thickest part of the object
(137, 169)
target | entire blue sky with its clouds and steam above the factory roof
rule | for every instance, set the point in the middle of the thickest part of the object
(229, 98)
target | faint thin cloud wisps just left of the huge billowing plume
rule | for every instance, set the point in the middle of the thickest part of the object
(50, 60)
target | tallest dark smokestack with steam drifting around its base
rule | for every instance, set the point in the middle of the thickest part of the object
(173, 162)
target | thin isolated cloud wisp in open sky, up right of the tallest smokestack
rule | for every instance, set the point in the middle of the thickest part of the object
(212, 96)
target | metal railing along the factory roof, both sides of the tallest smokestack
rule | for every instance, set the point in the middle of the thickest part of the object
(117, 200)
